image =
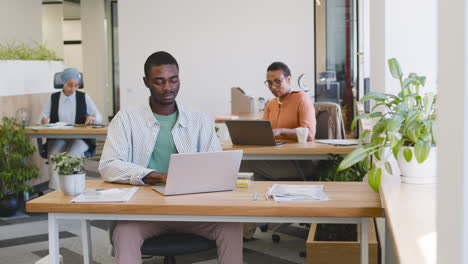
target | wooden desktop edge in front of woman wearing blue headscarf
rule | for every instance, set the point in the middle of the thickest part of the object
(68, 132)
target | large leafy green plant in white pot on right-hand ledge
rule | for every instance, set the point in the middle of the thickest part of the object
(405, 129)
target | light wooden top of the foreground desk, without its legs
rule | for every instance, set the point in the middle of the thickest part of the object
(348, 199)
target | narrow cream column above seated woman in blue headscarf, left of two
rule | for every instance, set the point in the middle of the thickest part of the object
(52, 23)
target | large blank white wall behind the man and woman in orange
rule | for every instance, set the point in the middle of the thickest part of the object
(218, 44)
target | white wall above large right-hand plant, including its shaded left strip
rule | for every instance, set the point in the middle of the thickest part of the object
(406, 30)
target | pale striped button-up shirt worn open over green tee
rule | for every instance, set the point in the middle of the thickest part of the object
(132, 135)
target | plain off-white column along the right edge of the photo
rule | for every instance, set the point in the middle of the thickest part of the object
(452, 188)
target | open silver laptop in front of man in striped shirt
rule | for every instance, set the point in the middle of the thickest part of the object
(201, 172)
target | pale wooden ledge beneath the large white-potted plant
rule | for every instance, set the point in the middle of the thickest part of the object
(410, 214)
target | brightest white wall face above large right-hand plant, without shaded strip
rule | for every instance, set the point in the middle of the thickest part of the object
(411, 37)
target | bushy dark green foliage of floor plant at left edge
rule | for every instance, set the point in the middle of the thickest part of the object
(15, 172)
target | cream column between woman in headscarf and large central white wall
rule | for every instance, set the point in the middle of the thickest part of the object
(94, 43)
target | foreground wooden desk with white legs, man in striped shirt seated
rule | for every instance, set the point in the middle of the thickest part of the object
(351, 202)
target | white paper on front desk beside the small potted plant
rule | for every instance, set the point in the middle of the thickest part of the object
(105, 195)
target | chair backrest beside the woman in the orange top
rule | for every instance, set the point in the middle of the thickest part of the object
(330, 123)
